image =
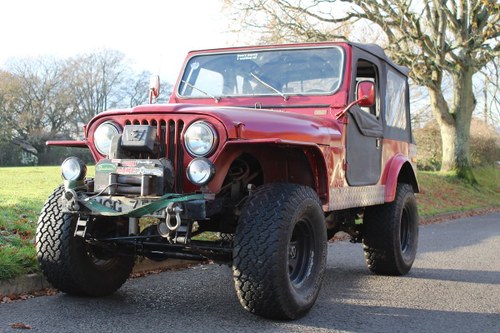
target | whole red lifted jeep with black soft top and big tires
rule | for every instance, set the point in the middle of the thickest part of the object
(273, 148)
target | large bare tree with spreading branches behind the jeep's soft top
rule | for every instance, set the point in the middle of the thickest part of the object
(434, 38)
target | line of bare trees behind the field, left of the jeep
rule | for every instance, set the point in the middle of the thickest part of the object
(46, 98)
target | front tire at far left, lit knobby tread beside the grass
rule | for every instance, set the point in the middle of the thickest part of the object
(69, 263)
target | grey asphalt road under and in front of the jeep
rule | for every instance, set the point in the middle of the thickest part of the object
(454, 286)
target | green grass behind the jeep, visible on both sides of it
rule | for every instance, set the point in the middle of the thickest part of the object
(24, 190)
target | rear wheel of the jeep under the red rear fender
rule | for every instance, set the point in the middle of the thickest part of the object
(390, 234)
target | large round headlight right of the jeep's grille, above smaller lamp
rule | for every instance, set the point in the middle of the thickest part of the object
(200, 139)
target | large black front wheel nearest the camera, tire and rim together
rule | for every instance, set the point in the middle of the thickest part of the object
(280, 250)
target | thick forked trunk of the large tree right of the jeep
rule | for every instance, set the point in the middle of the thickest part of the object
(455, 124)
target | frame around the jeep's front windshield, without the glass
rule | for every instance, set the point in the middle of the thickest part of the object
(181, 84)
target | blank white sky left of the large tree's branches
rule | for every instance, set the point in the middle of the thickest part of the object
(155, 34)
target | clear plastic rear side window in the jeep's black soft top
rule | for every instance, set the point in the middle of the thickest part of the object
(395, 98)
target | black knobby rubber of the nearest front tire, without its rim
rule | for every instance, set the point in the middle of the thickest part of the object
(257, 281)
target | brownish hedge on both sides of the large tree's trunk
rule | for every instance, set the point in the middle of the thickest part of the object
(484, 145)
